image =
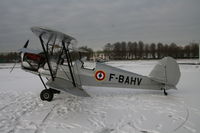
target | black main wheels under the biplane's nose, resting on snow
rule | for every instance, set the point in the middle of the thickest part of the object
(47, 94)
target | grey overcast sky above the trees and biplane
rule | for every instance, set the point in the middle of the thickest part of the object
(97, 22)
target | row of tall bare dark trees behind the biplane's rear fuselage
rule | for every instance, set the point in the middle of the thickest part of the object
(139, 50)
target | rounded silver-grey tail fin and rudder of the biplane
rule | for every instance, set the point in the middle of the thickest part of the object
(166, 71)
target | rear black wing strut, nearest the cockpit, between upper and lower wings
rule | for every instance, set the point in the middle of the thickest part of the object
(68, 61)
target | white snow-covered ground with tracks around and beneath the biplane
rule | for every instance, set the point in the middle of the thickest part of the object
(109, 110)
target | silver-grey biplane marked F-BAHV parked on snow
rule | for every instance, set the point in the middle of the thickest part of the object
(57, 63)
